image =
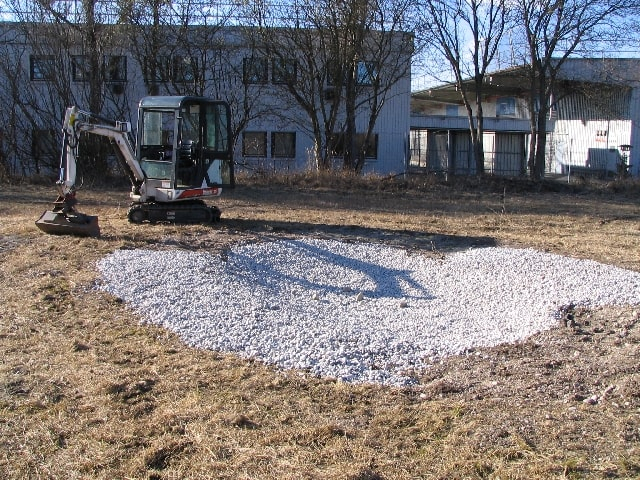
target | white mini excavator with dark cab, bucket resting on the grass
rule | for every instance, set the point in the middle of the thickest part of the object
(182, 155)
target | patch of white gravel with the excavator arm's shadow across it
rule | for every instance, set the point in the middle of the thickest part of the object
(357, 311)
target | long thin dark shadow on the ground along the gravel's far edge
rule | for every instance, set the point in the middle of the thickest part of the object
(353, 233)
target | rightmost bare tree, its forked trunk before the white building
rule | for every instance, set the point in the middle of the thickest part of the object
(553, 31)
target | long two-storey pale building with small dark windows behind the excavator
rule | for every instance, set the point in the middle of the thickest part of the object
(45, 70)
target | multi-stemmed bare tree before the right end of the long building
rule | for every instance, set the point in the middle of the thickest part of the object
(337, 64)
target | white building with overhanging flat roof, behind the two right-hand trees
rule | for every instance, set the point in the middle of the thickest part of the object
(594, 125)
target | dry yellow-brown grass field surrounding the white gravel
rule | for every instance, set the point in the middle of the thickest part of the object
(86, 391)
